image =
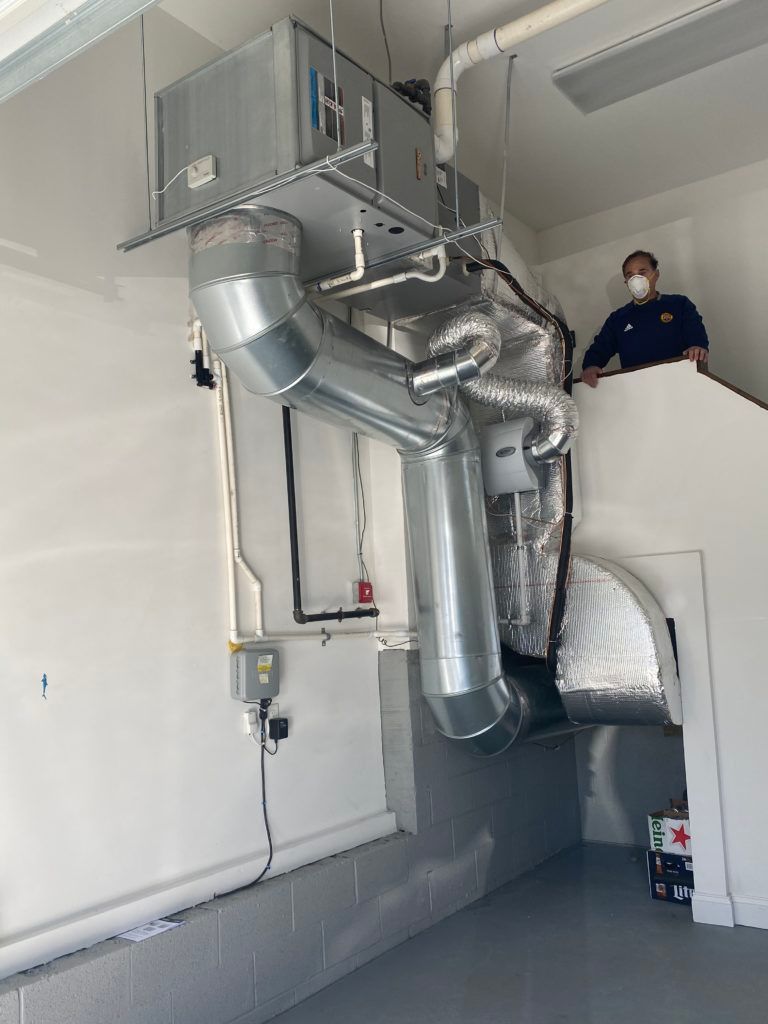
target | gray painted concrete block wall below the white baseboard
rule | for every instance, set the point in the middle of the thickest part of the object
(468, 827)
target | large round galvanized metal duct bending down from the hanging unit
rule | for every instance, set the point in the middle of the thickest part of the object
(247, 291)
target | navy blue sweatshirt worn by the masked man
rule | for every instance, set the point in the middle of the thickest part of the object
(658, 330)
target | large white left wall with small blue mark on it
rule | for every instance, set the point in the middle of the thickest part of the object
(133, 790)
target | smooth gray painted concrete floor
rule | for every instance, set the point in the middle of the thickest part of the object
(576, 942)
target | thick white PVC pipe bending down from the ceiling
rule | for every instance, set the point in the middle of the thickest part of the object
(489, 46)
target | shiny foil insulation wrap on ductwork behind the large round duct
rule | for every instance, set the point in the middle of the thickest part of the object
(615, 663)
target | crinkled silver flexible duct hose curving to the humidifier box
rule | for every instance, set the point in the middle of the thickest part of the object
(553, 410)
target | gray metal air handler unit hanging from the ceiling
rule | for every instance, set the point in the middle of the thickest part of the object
(269, 110)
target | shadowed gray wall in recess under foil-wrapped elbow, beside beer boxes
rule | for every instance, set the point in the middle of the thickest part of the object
(624, 774)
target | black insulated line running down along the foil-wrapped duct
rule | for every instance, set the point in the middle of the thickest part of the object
(564, 562)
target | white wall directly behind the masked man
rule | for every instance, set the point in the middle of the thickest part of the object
(710, 239)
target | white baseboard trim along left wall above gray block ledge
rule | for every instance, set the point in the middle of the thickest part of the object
(59, 938)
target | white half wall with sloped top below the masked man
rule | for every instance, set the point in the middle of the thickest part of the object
(665, 468)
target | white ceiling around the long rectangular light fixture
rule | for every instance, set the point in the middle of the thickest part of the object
(564, 164)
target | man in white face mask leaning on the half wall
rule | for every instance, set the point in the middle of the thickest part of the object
(651, 328)
